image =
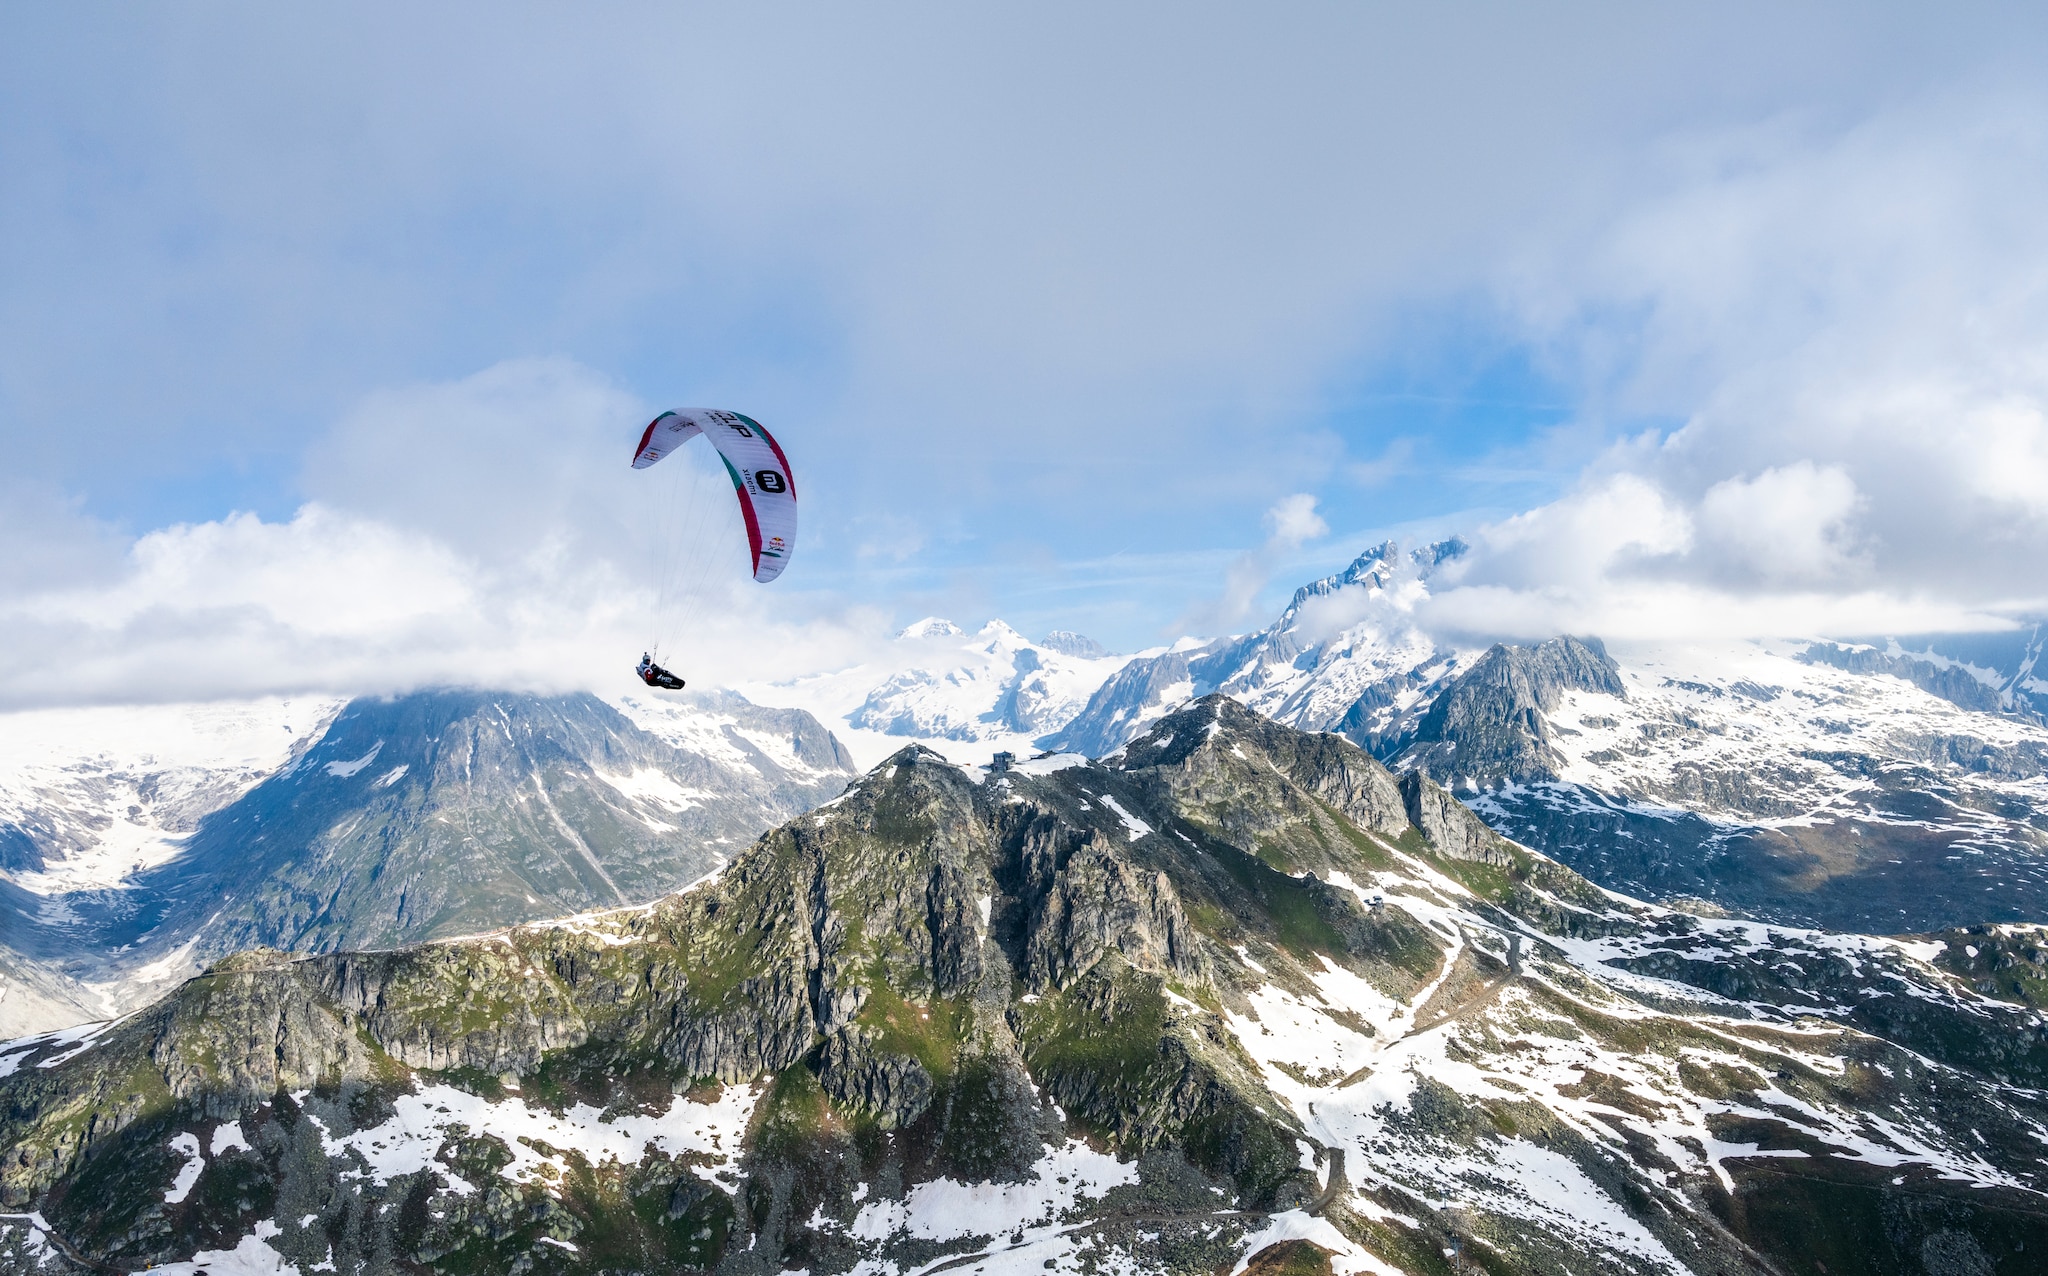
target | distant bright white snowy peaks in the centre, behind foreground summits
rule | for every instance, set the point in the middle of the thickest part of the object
(939, 685)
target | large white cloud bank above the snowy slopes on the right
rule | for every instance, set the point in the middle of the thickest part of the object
(1852, 323)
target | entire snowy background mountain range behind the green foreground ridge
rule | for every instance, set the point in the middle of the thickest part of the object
(1879, 785)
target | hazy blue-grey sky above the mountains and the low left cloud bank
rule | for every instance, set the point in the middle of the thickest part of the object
(1052, 306)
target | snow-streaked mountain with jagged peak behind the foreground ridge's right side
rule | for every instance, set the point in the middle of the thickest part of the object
(1881, 785)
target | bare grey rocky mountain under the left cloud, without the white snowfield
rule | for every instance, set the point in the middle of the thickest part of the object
(433, 814)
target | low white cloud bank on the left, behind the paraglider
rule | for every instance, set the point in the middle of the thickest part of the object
(486, 531)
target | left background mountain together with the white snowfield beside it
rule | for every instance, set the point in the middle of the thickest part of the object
(146, 843)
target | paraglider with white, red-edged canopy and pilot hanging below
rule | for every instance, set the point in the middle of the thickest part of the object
(767, 505)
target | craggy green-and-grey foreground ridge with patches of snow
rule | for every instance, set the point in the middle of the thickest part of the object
(1230, 988)
